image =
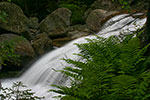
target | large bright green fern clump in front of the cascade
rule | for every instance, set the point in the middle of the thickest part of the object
(110, 69)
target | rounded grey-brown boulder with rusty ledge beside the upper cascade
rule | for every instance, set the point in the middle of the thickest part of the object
(95, 19)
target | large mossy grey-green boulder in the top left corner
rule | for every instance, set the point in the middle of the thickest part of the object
(14, 19)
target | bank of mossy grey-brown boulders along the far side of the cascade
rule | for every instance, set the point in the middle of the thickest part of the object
(36, 38)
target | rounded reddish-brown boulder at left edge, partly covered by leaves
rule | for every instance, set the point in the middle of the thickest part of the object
(22, 47)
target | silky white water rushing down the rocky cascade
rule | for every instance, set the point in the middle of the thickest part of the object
(41, 74)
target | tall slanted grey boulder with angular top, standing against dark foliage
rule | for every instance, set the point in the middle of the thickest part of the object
(56, 23)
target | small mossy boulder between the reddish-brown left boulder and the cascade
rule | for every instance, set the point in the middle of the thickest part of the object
(41, 43)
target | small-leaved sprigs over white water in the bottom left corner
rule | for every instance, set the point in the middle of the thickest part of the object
(18, 92)
